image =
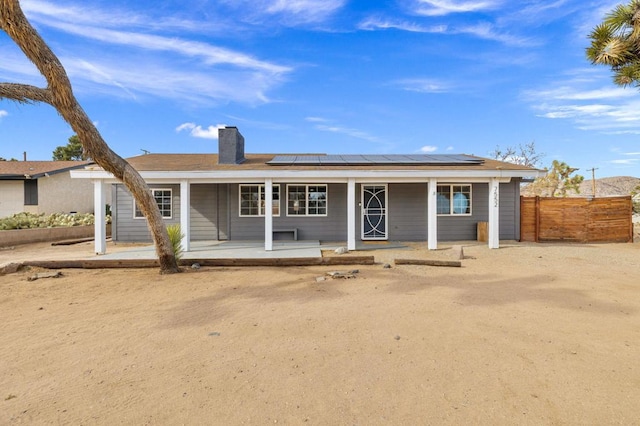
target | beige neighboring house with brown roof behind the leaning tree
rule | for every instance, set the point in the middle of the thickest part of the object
(43, 187)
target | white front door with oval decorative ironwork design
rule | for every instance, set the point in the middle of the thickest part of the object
(374, 212)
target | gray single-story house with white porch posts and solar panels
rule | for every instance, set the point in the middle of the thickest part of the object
(318, 197)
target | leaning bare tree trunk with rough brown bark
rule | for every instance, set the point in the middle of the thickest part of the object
(59, 94)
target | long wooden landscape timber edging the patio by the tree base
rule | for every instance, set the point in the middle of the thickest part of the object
(152, 263)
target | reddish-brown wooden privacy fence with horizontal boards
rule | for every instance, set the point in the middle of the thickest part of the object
(576, 219)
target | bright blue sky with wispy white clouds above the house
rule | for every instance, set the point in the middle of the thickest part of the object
(330, 76)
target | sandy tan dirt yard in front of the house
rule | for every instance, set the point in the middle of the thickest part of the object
(527, 334)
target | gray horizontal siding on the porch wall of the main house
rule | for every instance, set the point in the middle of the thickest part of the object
(214, 214)
